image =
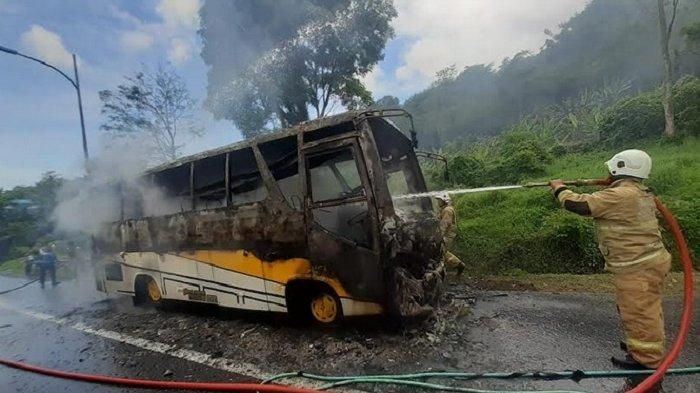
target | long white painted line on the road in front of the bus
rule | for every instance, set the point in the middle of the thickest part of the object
(233, 366)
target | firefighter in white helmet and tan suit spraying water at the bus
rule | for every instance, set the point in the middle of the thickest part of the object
(630, 241)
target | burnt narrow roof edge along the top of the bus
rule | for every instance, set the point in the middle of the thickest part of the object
(304, 127)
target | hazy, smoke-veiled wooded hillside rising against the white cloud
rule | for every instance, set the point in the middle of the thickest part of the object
(611, 43)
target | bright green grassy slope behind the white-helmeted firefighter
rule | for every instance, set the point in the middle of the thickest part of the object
(527, 230)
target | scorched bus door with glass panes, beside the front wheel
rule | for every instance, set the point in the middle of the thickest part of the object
(341, 217)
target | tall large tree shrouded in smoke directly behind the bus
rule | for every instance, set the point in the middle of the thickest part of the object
(284, 57)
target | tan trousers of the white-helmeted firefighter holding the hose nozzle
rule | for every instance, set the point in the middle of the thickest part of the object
(639, 303)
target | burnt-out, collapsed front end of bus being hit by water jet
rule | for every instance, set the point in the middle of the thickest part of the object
(411, 241)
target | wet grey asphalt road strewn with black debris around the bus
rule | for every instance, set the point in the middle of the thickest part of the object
(56, 327)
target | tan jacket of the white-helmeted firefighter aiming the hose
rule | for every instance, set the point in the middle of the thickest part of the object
(626, 224)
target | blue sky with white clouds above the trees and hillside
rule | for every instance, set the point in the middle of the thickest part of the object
(39, 121)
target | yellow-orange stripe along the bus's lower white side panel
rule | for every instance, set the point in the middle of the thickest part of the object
(280, 270)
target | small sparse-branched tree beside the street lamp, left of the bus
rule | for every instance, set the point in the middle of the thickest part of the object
(155, 105)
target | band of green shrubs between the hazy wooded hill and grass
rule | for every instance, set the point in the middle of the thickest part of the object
(526, 147)
